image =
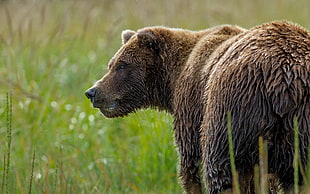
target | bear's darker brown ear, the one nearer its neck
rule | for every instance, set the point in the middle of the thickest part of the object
(148, 38)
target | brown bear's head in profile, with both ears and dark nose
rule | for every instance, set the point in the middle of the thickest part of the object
(126, 86)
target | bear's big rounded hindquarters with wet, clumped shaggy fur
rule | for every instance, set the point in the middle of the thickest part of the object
(262, 77)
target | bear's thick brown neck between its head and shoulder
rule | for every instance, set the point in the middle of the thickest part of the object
(174, 54)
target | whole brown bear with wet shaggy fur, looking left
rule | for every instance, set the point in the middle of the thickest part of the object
(260, 75)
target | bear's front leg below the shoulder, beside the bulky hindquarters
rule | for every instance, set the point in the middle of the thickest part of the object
(188, 117)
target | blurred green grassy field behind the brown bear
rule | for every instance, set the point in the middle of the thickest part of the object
(52, 51)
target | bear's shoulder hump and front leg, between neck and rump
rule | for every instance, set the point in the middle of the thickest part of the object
(188, 104)
